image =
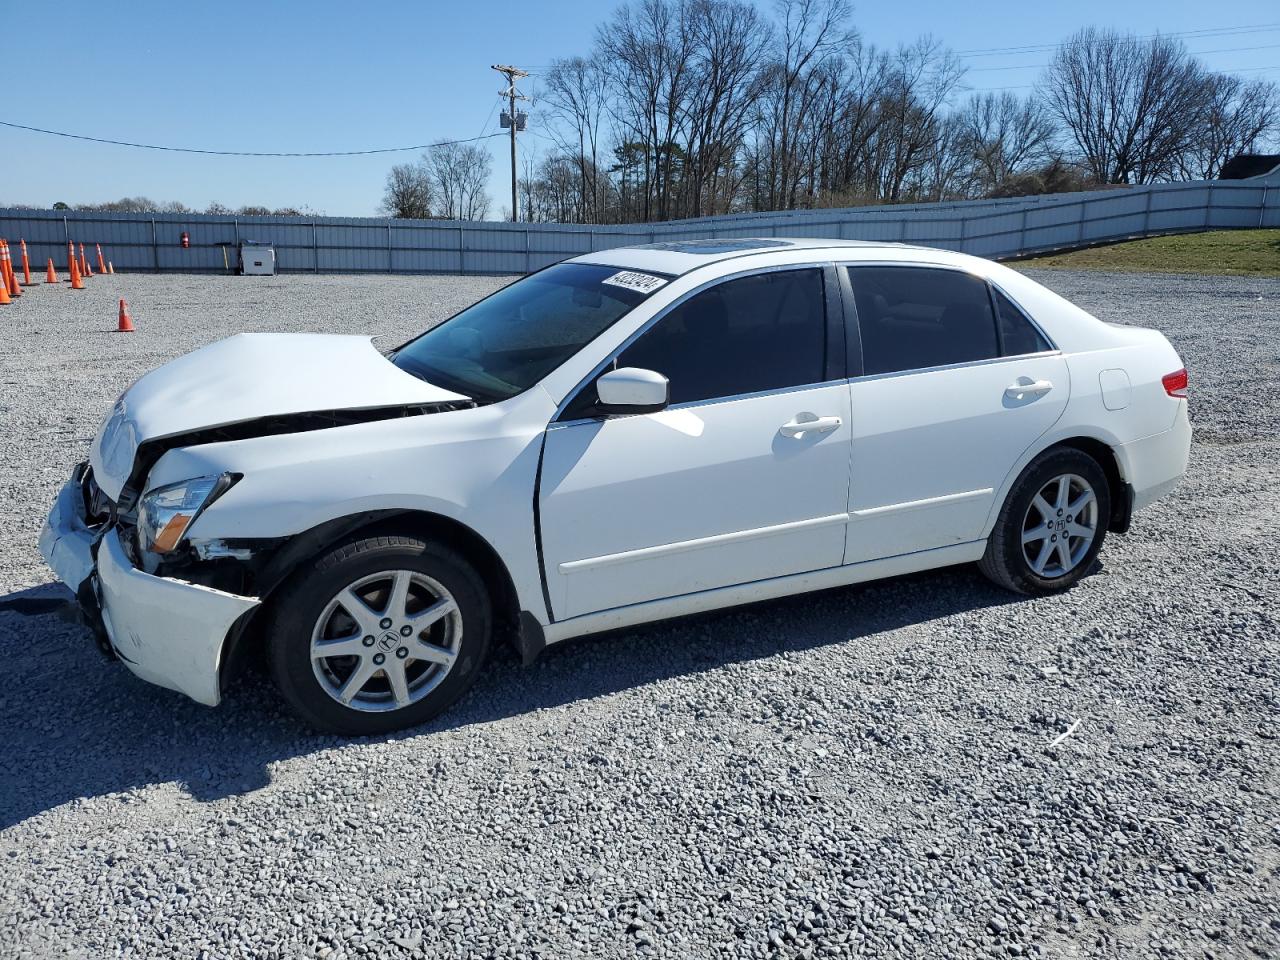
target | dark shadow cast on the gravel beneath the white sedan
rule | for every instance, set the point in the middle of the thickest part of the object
(77, 726)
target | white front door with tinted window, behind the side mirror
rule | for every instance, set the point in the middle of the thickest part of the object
(743, 478)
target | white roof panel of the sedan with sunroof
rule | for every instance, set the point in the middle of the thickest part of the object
(676, 258)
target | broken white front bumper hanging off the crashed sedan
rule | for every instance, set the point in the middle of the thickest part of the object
(167, 632)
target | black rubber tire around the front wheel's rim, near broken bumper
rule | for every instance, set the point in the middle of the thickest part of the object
(301, 604)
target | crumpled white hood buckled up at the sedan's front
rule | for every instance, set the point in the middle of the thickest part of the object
(246, 378)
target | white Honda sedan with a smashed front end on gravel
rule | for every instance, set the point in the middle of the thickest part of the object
(630, 436)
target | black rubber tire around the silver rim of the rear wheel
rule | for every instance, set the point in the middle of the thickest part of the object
(1007, 563)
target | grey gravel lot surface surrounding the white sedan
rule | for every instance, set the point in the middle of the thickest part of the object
(860, 772)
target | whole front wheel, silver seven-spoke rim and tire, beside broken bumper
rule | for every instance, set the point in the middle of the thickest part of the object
(380, 634)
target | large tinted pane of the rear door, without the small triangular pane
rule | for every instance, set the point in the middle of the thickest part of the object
(912, 318)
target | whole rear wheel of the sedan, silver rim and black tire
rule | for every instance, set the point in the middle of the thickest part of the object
(1052, 527)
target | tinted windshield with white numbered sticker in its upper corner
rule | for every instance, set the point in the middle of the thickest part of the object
(510, 341)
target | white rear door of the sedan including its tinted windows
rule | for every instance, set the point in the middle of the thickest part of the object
(957, 385)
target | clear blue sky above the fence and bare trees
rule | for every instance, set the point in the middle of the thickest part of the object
(339, 76)
